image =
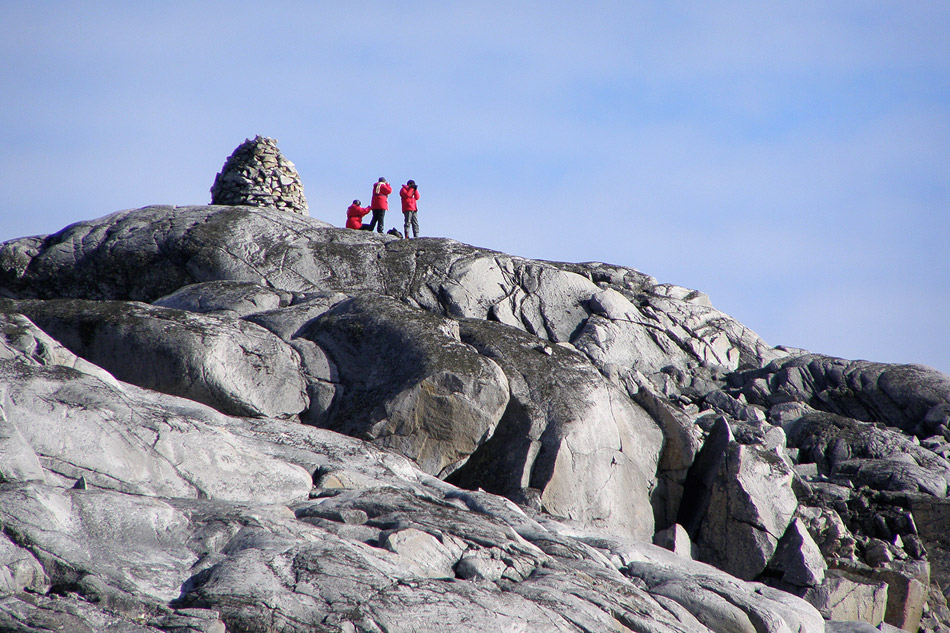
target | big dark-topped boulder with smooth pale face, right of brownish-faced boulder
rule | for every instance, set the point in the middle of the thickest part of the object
(567, 433)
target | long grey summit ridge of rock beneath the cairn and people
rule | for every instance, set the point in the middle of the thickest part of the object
(166, 248)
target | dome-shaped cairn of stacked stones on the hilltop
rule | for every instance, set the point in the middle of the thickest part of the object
(257, 174)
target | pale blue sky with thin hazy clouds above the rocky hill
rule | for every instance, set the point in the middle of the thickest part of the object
(791, 159)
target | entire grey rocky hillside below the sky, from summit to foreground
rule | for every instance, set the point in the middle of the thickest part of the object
(237, 418)
